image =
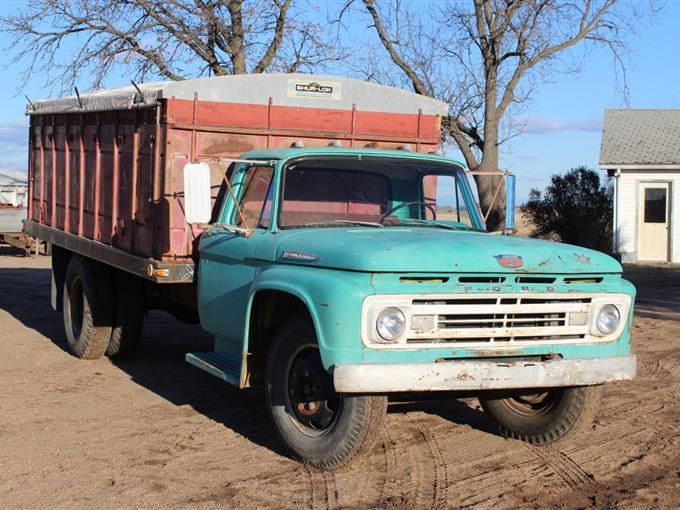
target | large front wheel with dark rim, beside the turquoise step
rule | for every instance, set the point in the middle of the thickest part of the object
(321, 427)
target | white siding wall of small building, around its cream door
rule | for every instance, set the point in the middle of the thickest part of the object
(628, 210)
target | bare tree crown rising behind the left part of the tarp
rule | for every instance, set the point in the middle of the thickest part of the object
(71, 40)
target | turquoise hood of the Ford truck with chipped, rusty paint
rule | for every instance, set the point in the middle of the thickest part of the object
(427, 250)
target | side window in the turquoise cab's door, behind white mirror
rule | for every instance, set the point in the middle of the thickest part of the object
(256, 198)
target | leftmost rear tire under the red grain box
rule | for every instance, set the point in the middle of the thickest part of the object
(88, 308)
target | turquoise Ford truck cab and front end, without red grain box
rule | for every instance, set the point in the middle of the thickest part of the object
(339, 276)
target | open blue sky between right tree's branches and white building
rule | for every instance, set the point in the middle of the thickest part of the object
(565, 120)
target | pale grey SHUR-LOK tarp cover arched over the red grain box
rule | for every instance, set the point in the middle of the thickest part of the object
(306, 90)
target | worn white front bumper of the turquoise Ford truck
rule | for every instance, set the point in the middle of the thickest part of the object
(480, 375)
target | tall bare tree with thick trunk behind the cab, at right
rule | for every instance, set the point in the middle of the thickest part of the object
(485, 57)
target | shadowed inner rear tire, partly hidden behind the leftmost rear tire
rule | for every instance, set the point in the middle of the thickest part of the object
(129, 316)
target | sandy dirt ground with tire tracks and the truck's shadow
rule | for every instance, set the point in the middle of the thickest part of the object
(155, 432)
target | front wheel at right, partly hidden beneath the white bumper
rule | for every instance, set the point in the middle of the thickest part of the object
(544, 416)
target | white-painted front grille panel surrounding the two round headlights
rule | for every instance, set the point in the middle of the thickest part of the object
(467, 320)
